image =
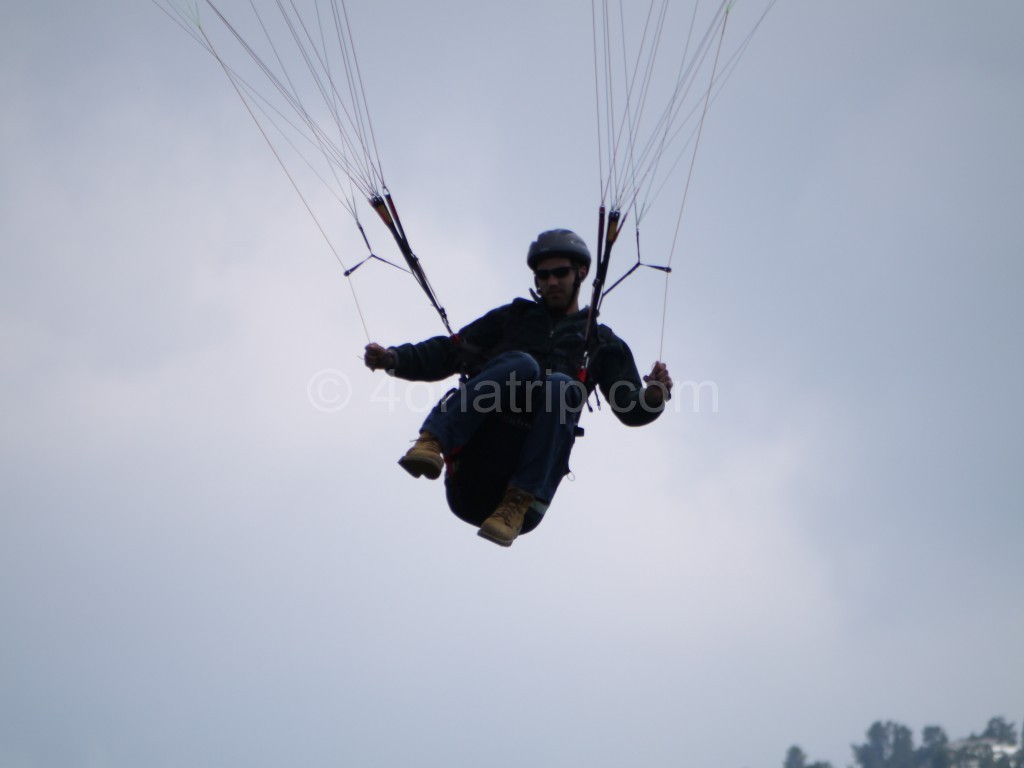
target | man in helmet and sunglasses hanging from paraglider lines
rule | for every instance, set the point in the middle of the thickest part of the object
(526, 360)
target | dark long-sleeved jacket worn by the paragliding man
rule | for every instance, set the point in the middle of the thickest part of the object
(556, 342)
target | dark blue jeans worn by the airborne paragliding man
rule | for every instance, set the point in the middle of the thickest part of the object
(514, 383)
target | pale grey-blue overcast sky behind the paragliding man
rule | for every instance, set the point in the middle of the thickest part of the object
(206, 561)
